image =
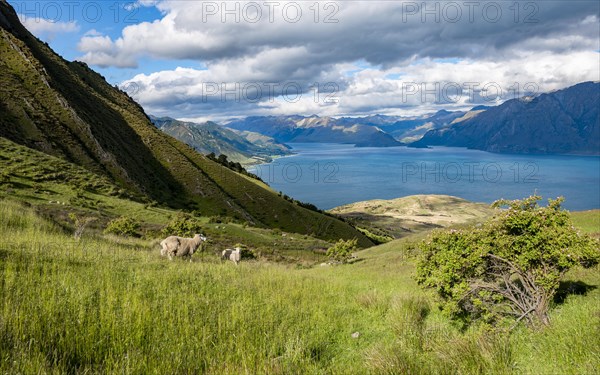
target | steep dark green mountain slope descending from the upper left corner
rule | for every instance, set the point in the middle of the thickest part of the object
(67, 110)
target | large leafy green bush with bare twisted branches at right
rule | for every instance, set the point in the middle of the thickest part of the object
(510, 267)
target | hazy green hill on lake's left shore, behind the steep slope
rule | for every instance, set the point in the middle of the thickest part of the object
(209, 137)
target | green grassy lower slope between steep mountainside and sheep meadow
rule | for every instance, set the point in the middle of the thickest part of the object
(55, 188)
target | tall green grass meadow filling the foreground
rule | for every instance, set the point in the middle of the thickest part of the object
(113, 305)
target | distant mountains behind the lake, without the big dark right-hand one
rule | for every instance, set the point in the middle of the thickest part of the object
(257, 139)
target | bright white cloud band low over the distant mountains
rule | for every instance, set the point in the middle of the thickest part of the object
(426, 85)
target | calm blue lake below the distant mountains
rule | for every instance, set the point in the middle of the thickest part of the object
(330, 175)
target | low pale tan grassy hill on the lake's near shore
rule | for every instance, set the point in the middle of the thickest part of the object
(397, 218)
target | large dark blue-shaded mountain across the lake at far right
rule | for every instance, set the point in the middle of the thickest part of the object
(565, 121)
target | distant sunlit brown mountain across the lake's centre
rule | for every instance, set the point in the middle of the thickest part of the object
(315, 129)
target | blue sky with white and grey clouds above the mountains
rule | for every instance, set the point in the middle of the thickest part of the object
(215, 60)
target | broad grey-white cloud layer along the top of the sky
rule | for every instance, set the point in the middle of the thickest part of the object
(381, 32)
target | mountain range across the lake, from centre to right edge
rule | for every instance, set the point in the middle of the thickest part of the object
(566, 121)
